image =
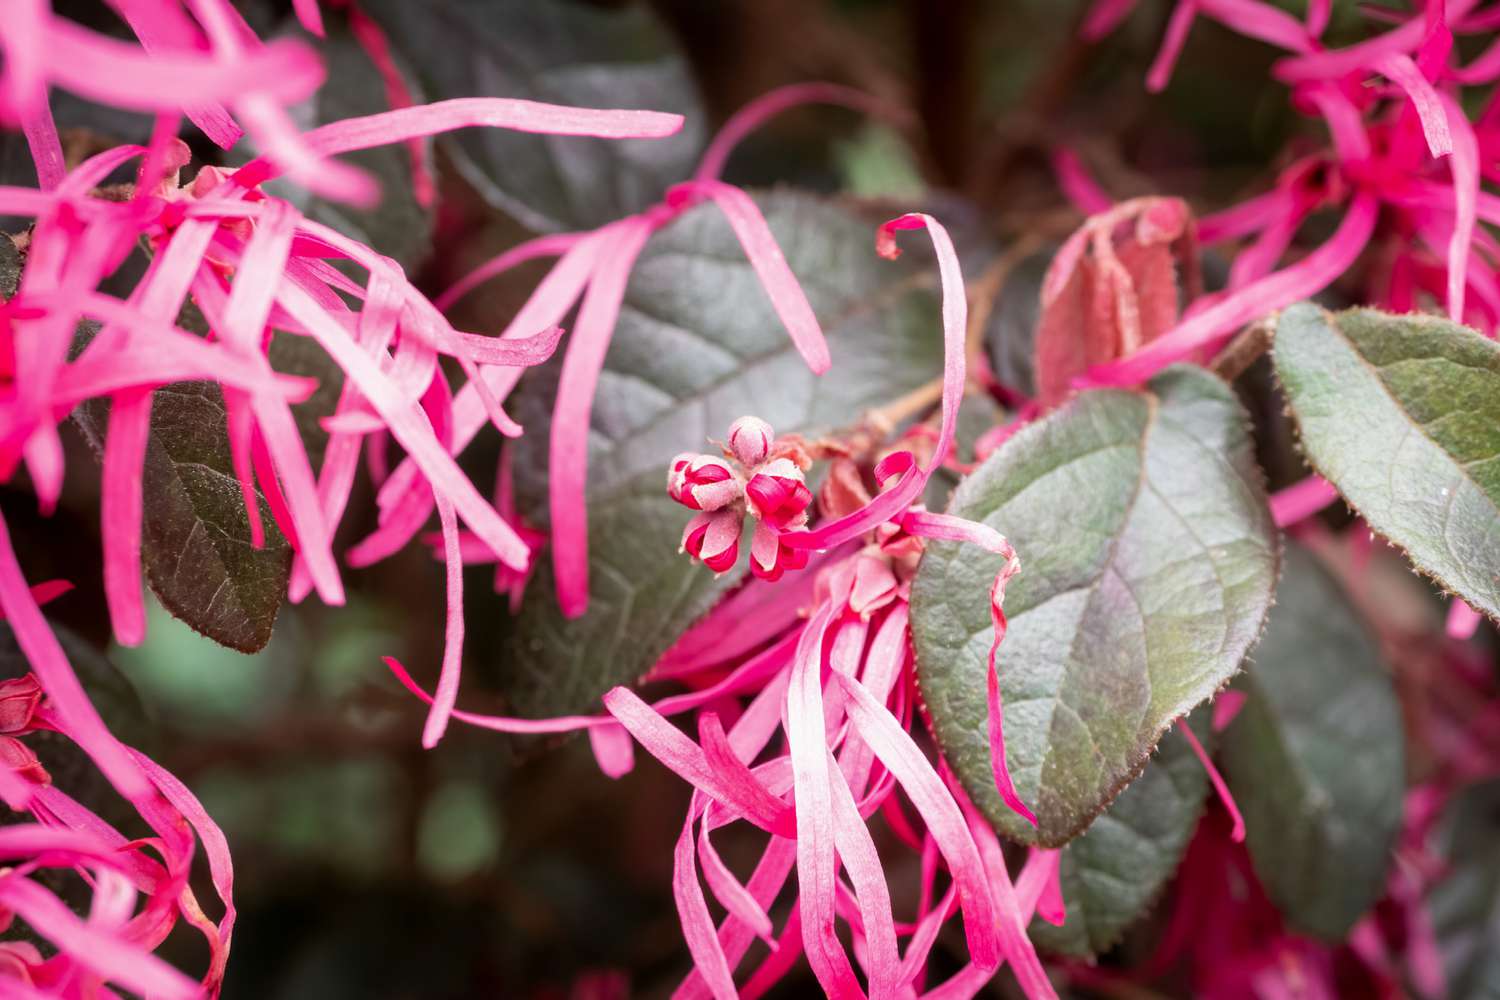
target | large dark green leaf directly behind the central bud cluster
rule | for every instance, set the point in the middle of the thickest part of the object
(697, 347)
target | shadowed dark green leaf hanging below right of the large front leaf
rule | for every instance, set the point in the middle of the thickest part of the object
(1316, 758)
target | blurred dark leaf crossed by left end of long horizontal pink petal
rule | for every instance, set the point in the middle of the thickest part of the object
(400, 227)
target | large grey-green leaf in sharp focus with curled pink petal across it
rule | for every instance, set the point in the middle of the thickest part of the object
(1148, 560)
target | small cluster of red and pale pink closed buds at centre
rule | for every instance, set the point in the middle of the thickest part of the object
(754, 478)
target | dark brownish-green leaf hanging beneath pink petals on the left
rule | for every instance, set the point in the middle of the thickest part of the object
(196, 539)
